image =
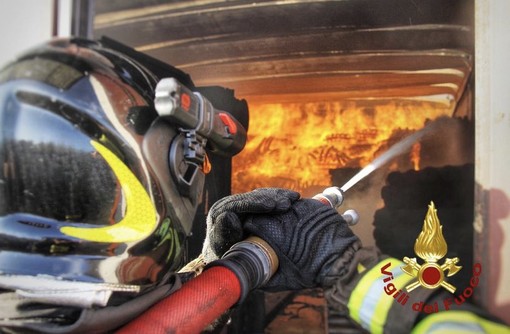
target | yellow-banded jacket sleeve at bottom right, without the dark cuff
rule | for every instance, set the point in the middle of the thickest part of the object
(380, 303)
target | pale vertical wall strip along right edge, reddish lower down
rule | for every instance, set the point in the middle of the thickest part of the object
(492, 141)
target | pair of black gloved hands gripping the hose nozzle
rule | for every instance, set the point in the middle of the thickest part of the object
(308, 236)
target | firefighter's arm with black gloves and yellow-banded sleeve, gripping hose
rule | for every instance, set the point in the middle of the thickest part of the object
(316, 248)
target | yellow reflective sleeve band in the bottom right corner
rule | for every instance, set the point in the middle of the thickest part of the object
(458, 322)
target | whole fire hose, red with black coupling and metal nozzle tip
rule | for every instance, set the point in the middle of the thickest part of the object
(199, 302)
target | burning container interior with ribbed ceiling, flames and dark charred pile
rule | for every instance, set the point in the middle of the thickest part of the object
(331, 86)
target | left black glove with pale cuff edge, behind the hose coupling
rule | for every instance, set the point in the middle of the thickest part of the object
(226, 216)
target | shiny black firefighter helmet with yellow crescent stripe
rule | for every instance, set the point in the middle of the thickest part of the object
(87, 198)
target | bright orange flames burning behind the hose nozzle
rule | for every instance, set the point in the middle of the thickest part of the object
(296, 145)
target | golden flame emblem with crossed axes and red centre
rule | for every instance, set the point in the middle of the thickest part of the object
(431, 247)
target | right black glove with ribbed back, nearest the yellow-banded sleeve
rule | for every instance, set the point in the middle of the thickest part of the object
(308, 239)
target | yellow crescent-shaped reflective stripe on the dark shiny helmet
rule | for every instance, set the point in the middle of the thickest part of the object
(140, 219)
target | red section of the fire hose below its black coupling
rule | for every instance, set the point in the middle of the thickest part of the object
(198, 303)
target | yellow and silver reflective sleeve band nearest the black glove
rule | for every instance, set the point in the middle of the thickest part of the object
(369, 304)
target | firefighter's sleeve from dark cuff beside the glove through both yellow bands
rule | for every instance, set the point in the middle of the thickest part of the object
(371, 289)
